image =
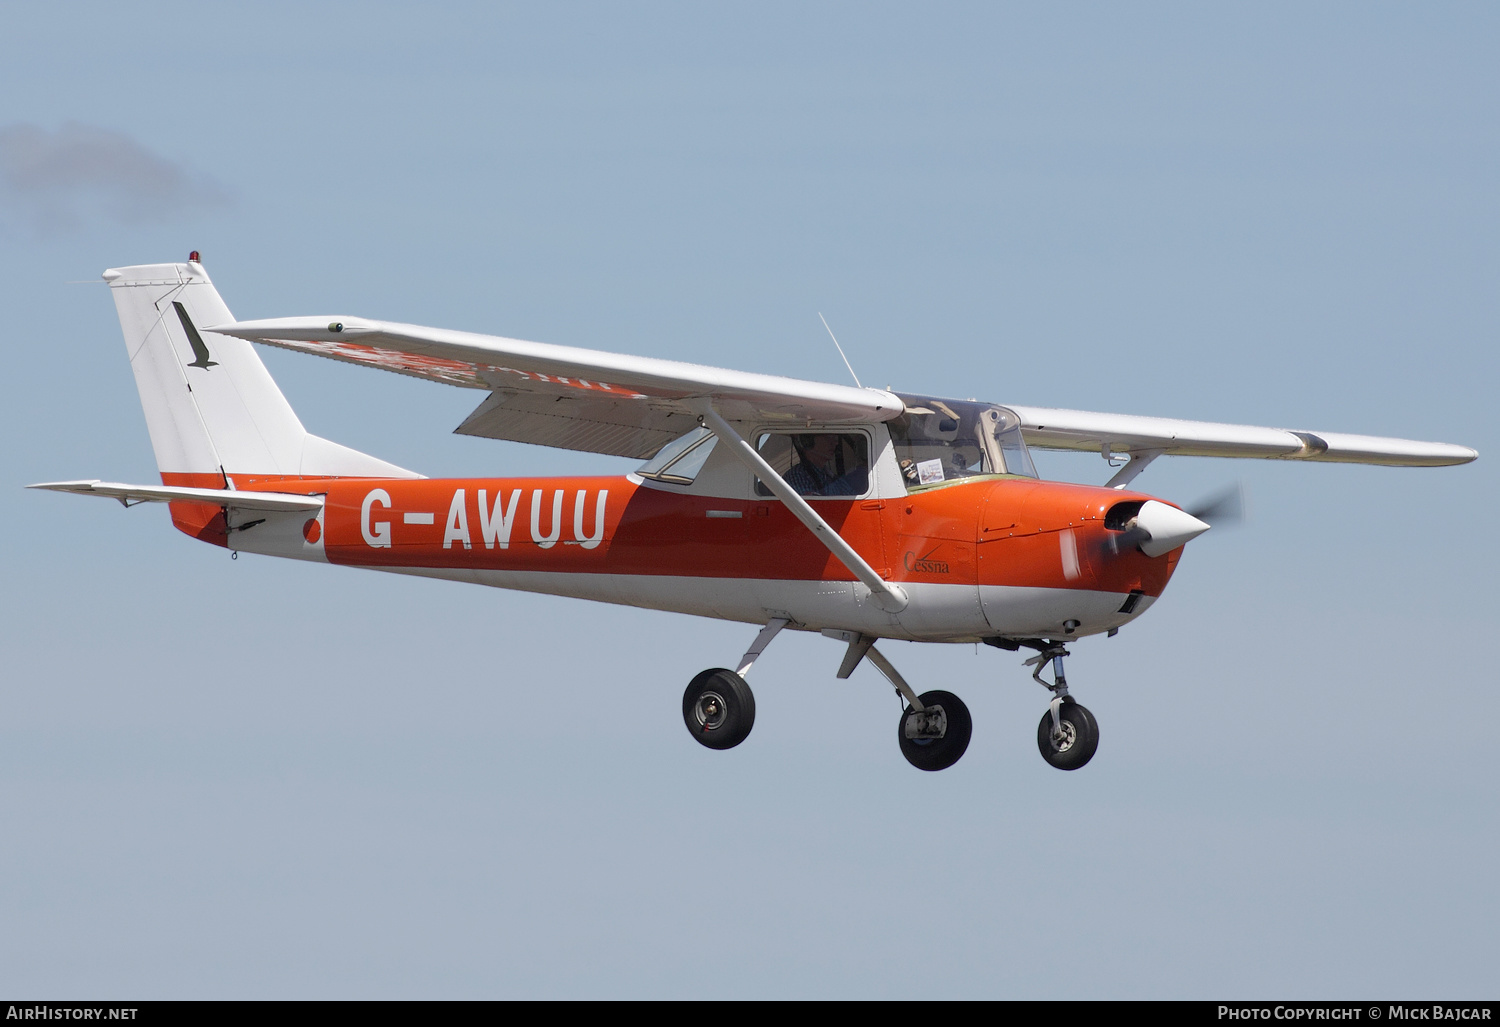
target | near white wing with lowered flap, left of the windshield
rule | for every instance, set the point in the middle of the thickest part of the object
(565, 397)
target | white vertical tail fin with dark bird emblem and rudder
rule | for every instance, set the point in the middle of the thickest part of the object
(212, 409)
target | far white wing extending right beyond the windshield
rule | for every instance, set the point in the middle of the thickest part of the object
(1150, 437)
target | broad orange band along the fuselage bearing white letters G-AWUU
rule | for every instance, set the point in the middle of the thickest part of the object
(986, 531)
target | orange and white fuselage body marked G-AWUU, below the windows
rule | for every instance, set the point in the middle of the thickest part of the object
(979, 558)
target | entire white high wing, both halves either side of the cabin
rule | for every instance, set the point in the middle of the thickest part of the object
(622, 406)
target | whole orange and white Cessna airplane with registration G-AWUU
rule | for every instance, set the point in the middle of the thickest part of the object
(859, 513)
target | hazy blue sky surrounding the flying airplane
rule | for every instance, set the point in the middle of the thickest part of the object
(257, 779)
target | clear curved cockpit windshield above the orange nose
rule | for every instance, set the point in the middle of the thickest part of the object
(940, 440)
